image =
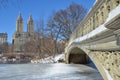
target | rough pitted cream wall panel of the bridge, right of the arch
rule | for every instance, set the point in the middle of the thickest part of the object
(110, 61)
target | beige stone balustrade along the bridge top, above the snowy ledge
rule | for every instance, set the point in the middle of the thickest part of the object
(97, 16)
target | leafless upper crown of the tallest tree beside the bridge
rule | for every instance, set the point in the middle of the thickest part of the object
(65, 21)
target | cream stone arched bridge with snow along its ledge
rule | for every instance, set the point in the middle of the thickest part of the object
(97, 37)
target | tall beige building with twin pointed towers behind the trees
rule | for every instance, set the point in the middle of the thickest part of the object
(20, 38)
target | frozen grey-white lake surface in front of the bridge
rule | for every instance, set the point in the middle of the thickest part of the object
(48, 72)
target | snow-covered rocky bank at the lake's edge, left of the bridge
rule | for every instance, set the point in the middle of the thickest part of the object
(50, 59)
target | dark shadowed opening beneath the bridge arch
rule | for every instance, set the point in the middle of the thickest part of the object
(78, 56)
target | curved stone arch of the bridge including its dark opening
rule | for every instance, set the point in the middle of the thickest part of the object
(86, 56)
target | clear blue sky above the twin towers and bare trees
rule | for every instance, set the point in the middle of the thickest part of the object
(38, 9)
